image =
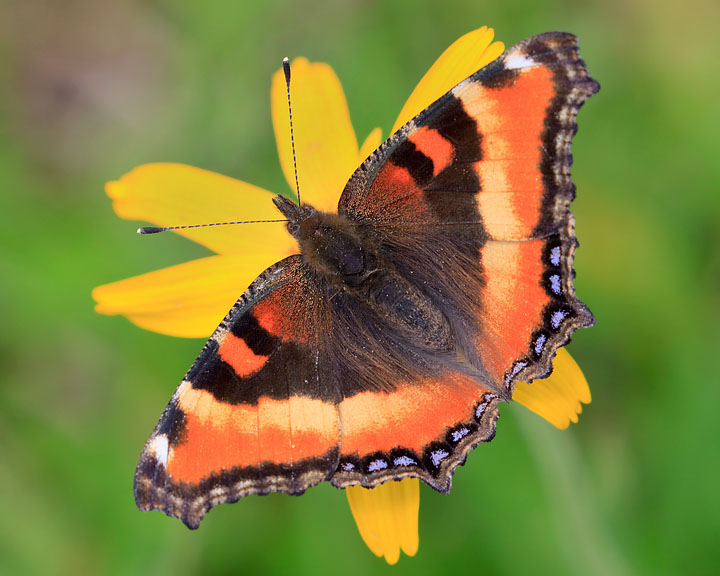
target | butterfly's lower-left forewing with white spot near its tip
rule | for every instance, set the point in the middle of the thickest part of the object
(257, 411)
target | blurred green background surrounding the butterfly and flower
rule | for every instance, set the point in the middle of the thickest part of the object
(91, 89)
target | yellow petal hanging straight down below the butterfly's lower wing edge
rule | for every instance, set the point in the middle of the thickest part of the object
(387, 517)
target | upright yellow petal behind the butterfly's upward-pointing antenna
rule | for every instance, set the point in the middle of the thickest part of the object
(325, 143)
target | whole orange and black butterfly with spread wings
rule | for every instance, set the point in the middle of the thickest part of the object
(384, 348)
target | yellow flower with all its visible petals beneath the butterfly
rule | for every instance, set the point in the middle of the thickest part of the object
(190, 299)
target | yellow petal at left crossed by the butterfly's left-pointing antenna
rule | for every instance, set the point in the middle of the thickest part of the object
(178, 195)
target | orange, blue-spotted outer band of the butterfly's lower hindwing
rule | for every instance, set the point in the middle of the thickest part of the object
(422, 429)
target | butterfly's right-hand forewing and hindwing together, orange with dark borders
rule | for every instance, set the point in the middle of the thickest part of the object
(480, 181)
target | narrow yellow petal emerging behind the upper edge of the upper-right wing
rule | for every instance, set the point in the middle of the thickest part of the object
(464, 57)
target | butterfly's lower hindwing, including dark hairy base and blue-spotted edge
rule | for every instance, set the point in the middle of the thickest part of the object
(410, 407)
